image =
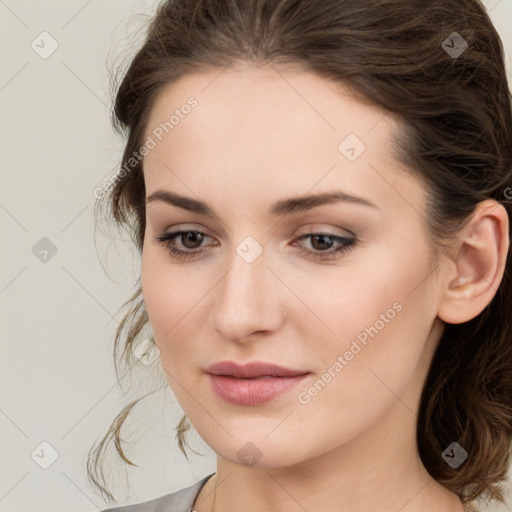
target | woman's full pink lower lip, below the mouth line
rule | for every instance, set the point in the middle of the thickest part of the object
(253, 391)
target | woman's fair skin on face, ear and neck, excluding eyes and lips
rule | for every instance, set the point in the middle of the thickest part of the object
(258, 136)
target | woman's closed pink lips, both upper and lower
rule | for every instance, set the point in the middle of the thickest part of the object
(254, 383)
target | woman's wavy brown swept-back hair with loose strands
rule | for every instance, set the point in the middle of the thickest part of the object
(456, 137)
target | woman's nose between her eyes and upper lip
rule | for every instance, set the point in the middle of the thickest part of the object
(246, 300)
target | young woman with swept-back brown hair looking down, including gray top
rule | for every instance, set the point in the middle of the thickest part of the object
(320, 192)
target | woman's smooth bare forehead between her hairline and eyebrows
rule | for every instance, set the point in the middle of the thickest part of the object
(265, 127)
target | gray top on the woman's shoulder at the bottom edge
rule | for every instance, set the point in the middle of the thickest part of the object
(179, 501)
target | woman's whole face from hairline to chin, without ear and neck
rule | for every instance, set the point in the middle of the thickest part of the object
(263, 284)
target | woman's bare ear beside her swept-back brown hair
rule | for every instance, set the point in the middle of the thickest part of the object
(473, 277)
